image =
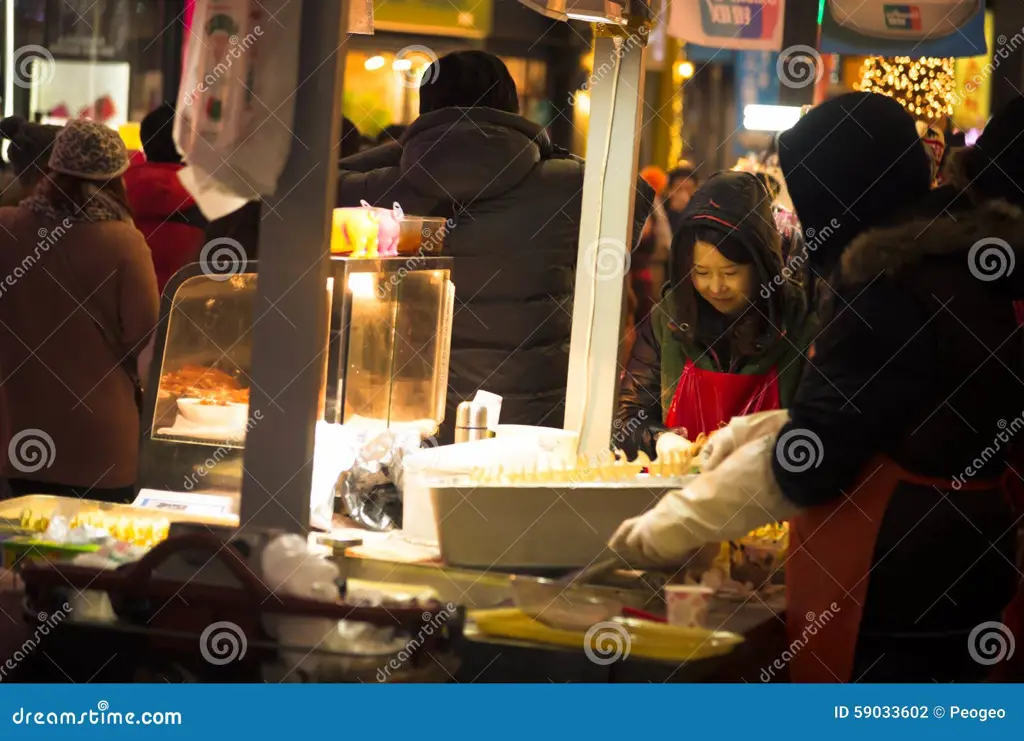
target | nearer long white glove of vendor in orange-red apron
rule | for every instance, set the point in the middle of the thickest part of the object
(726, 505)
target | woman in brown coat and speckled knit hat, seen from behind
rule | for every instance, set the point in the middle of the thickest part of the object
(78, 304)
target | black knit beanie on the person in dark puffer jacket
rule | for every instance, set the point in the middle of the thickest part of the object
(466, 80)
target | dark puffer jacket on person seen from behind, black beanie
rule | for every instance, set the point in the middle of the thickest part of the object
(516, 202)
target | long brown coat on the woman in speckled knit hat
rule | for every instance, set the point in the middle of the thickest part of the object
(62, 381)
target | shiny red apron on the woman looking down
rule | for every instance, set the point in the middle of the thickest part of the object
(707, 400)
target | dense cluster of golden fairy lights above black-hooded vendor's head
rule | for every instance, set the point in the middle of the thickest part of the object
(926, 88)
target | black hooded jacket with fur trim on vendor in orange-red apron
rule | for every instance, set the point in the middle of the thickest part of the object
(918, 362)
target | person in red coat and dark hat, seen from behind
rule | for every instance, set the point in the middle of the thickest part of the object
(164, 211)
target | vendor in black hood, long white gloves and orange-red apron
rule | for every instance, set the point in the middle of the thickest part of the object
(889, 461)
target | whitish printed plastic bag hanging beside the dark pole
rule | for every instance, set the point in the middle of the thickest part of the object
(236, 104)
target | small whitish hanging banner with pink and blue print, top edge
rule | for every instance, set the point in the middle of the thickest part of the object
(747, 25)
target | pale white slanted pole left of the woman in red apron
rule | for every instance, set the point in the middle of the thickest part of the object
(606, 236)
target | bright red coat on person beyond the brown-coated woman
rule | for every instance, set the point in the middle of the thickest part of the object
(167, 215)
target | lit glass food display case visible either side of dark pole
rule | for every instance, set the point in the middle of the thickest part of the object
(391, 331)
